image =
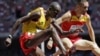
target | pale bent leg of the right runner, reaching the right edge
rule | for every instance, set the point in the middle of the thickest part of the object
(87, 45)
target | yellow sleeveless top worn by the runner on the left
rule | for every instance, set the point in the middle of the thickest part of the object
(31, 26)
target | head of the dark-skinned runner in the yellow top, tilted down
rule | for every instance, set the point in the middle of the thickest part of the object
(53, 9)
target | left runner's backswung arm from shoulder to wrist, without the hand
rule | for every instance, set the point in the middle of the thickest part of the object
(33, 15)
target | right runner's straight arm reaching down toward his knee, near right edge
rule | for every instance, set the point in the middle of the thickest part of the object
(90, 29)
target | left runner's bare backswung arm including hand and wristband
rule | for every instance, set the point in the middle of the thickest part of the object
(28, 17)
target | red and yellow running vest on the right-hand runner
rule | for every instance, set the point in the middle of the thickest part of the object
(74, 22)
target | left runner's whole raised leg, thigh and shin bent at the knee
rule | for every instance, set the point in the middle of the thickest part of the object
(44, 35)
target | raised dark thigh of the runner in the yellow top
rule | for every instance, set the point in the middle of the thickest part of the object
(38, 38)
